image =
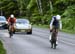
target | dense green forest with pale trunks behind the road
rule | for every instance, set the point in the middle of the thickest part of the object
(40, 12)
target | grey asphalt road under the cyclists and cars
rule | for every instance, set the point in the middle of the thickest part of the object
(37, 43)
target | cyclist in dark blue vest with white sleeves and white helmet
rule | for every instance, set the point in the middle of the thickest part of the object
(55, 24)
